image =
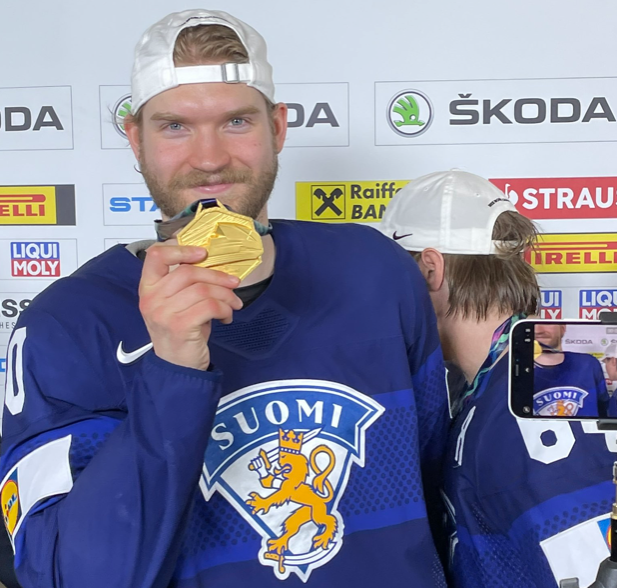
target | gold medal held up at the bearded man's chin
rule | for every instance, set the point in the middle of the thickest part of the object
(233, 244)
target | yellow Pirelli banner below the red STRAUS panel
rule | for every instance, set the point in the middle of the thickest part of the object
(574, 253)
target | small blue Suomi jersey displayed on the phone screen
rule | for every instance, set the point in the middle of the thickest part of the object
(574, 387)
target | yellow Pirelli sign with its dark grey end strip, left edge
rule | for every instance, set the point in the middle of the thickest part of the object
(37, 205)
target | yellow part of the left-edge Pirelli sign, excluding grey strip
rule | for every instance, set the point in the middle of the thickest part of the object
(28, 205)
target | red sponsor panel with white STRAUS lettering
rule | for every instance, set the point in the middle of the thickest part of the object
(557, 198)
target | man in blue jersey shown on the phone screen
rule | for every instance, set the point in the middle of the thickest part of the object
(556, 372)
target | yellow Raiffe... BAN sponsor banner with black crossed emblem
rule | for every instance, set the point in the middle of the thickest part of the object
(343, 202)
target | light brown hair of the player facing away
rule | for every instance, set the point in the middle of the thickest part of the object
(502, 282)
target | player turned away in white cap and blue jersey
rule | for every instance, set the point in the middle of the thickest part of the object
(528, 500)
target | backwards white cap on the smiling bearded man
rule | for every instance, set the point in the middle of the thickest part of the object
(154, 70)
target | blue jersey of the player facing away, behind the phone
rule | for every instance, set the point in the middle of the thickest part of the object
(528, 499)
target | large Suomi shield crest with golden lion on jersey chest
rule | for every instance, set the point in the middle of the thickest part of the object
(281, 453)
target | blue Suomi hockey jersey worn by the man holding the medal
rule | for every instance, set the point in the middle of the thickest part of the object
(300, 459)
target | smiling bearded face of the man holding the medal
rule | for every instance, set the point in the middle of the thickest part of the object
(209, 140)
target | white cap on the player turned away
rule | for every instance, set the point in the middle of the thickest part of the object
(453, 212)
